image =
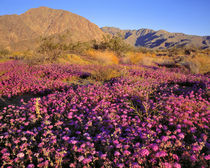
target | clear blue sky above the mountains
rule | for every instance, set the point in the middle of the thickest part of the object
(185, 16)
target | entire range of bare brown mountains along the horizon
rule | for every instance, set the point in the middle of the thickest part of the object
(21, 32)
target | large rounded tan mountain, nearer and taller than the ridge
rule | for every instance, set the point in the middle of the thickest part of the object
(24, 31)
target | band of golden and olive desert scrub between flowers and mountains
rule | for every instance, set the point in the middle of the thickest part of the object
(112, 51)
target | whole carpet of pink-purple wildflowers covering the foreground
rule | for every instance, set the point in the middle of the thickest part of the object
(146, 118)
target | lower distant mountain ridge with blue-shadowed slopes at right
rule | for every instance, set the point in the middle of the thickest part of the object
(159, 39)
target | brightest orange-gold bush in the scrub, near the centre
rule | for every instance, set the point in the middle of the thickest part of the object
(103, 57)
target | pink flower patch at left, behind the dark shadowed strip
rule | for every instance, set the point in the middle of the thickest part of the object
(18, 78)
